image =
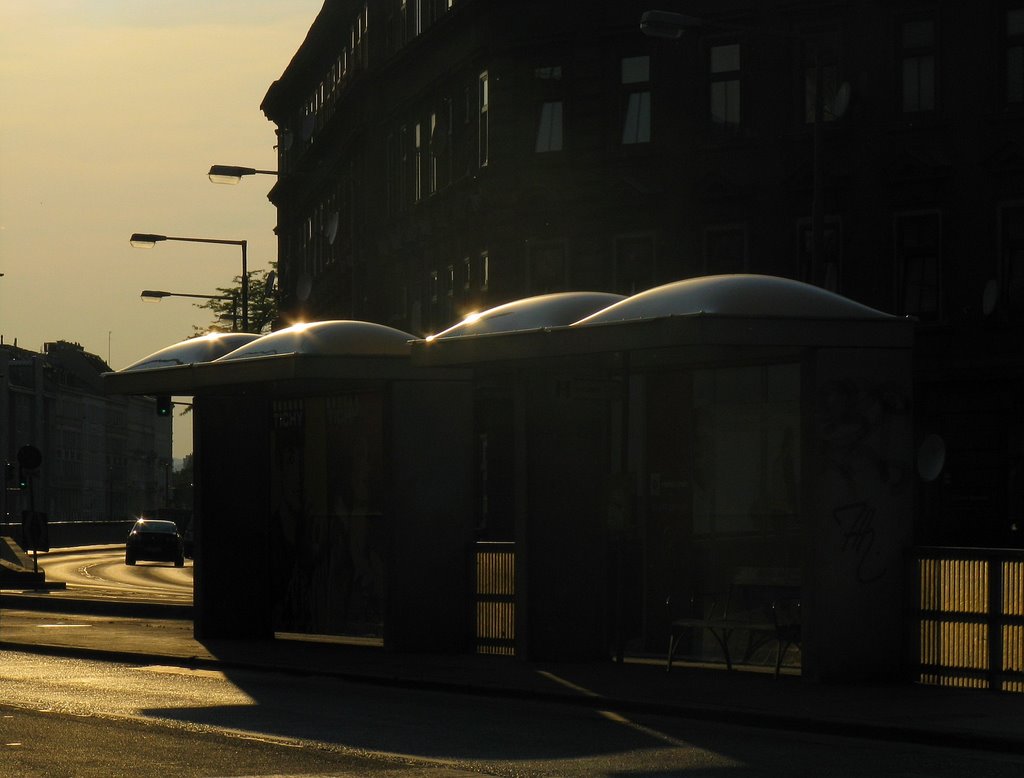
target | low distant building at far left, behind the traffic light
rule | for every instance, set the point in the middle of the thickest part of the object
(104, 457)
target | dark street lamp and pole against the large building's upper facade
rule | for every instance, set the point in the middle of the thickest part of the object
(671, 26)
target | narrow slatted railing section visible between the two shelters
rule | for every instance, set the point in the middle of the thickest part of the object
(495, 598)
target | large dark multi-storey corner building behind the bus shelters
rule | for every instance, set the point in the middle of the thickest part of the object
(440, 157)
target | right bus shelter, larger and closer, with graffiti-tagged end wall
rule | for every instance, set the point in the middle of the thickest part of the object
(655, 449)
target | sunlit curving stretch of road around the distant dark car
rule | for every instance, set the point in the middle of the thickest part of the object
(101, 572)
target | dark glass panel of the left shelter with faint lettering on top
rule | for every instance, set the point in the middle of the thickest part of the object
(328, 516)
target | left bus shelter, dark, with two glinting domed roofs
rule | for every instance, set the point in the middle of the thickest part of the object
(325, 499)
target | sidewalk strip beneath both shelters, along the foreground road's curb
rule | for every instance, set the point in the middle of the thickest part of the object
(932, 716)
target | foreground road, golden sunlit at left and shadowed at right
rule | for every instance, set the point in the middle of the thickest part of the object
(83, 718)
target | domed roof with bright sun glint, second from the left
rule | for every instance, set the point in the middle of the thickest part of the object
(342, 338)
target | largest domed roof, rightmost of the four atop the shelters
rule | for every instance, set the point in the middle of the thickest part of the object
(739, 295)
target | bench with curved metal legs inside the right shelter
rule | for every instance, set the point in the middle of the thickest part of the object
(761, 606)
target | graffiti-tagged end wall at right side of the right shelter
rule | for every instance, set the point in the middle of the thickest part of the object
(858, 508)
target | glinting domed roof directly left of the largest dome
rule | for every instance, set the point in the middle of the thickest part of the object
(559, 310)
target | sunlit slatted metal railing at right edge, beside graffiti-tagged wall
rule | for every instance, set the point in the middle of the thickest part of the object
(969, 625)
